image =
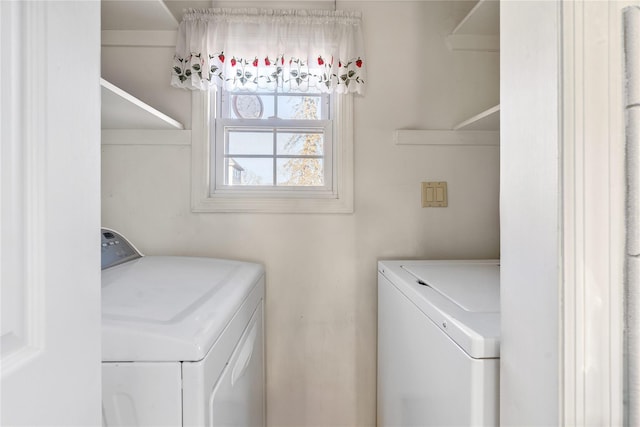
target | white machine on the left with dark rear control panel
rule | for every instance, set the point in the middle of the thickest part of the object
(182, 339)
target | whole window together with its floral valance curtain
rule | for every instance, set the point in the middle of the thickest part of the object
(272, 107)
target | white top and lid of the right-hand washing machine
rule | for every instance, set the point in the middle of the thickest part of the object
(462, 298)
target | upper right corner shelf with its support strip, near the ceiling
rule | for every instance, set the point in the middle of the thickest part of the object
(479, 29)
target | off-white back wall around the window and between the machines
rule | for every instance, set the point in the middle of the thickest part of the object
(321, 269)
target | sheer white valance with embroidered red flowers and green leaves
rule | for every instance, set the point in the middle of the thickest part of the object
(258, 49)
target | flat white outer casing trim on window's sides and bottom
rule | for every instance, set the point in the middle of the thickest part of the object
(203, 201)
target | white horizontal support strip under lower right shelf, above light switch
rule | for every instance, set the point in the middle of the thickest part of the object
(445, 137)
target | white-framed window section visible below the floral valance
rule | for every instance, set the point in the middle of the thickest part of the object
(272, 152)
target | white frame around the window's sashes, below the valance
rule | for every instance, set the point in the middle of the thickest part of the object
(206, 198)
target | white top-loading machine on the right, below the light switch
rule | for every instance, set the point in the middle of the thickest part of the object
(438, 343)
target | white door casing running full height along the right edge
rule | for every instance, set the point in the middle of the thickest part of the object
(593, 215)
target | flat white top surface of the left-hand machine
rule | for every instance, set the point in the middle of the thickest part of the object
(170, 308)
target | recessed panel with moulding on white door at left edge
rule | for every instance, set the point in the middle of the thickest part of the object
(24, 138)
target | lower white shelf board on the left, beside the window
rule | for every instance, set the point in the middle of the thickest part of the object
(121, 110)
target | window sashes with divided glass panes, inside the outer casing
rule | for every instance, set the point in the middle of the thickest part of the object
(273, 142)
